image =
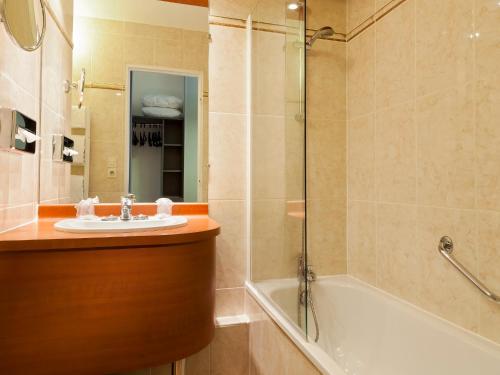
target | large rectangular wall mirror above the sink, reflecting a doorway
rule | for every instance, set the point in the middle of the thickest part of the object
(142, 126)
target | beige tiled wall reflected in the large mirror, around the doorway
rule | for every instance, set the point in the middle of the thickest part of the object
(105, 48)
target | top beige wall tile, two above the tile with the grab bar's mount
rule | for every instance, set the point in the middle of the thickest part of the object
(444, 50)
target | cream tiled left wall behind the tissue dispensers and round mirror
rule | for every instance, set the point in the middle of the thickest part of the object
(31, 82)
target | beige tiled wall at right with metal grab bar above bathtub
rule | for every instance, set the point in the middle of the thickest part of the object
(423, 99)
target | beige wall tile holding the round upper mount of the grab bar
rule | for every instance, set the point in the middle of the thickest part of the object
(443, 290)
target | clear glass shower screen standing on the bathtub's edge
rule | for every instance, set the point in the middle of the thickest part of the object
(278, 209)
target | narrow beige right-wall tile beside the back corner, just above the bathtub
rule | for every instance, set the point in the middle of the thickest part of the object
(361, 241)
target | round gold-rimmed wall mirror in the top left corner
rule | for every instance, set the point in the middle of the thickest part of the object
(24, 21)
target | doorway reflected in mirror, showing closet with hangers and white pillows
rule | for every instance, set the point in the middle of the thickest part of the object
(164, 122)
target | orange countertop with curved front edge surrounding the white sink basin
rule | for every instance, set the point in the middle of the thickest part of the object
(41, 235)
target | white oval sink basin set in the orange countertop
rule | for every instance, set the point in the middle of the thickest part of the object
(100, 226)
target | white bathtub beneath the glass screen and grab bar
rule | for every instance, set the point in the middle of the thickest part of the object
(365, 331)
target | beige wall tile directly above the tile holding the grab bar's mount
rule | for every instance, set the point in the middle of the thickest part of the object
(445, 124)
